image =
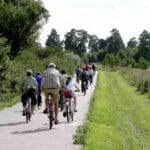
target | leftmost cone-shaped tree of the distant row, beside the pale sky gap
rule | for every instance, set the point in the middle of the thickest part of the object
(53, 40)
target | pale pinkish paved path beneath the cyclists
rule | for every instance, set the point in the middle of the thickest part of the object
(16, 134)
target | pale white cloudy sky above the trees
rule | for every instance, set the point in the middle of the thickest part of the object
(97, 17)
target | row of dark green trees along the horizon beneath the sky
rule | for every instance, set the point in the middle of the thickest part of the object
(110, 51)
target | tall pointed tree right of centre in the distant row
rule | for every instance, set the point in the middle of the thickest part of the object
(114, 42)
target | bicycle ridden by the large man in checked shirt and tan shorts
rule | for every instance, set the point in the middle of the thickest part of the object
(50, 111)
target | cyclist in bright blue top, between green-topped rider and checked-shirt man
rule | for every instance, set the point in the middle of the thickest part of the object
(38, 78)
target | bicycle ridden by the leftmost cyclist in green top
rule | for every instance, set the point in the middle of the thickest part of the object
(28, 112)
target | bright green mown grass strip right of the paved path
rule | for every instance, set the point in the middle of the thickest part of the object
(120, 116)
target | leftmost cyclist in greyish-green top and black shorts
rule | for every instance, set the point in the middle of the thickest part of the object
(29, 86)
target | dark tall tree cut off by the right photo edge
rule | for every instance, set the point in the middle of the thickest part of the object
(144, 45)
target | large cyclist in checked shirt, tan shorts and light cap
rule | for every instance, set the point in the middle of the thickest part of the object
(51, 84)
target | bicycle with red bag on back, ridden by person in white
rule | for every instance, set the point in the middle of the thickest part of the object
(68, 106)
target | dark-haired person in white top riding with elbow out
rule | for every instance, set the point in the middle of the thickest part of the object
(71, 85)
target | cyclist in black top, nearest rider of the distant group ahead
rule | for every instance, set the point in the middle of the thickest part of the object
(84, 78)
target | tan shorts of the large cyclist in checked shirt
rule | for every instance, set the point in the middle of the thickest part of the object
(54, 94)
